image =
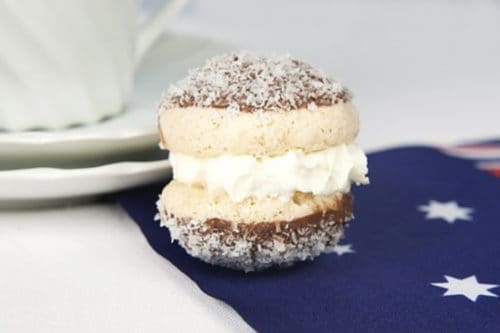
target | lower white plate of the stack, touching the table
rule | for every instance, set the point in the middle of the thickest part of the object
(47, 186)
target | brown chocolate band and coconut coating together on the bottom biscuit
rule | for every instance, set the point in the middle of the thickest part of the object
(259, 245)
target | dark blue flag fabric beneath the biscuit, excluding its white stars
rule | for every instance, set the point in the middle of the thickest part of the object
(385, 285)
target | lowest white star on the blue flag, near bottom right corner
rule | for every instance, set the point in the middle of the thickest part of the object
(468, 287)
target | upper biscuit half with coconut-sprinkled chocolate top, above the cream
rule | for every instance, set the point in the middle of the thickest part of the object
(244, 104)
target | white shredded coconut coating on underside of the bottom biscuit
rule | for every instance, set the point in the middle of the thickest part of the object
(239, 249)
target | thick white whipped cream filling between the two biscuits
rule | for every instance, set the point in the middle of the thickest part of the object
(241, 176)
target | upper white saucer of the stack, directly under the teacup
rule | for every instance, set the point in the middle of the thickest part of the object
(131, 131)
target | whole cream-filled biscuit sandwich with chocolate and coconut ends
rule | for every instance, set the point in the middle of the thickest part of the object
(263, 156)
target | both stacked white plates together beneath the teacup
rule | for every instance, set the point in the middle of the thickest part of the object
(44, 167)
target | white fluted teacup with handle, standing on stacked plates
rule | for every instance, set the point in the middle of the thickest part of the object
(65, 63)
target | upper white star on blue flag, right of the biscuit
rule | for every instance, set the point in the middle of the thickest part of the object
(449, 211)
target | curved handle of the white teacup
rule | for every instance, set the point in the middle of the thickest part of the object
(155, 27)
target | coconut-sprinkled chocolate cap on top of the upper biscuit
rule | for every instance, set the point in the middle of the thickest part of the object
(246, 82)
